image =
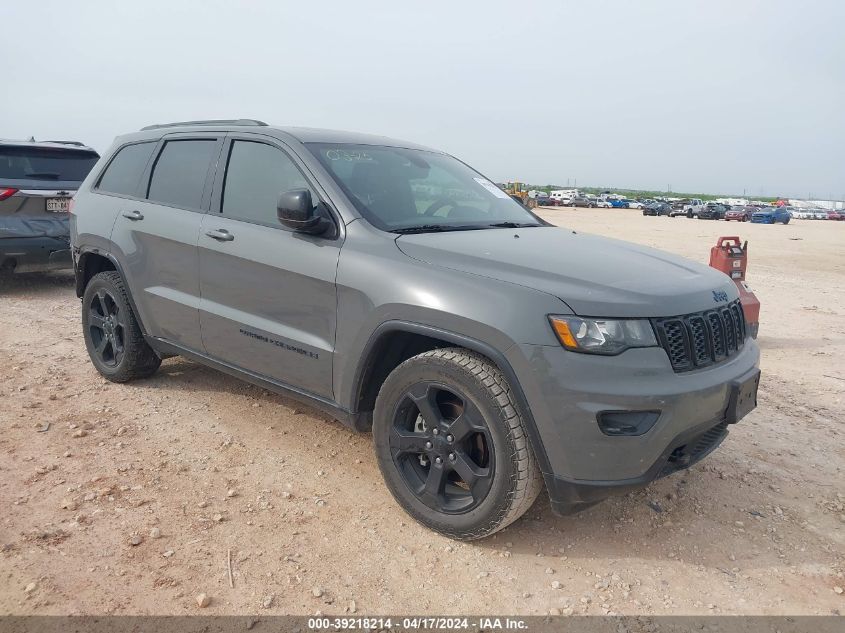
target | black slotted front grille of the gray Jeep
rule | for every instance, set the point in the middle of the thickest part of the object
(703, 338)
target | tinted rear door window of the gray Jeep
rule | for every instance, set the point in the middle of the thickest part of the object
(179, 173)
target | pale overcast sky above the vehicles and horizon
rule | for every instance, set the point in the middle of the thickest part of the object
(712, 96)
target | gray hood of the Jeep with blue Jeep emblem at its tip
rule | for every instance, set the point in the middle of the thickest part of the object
(594, 276)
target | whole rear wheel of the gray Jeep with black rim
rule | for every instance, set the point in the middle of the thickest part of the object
(112, 334)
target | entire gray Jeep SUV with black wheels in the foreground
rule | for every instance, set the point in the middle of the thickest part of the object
(401, 291)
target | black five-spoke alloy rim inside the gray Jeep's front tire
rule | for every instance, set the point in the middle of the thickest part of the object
(441, 447)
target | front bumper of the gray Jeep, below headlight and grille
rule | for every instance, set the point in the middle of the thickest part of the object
(566, 391)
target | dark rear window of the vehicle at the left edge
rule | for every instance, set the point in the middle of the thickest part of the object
(37, 163)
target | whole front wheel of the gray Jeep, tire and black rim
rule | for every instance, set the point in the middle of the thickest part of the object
(452, 445)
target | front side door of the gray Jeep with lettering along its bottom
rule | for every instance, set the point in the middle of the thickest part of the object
(268, 293)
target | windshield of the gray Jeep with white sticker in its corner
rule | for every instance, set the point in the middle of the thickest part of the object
(402, 189)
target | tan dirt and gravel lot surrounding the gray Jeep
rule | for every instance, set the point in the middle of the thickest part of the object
(211, 465)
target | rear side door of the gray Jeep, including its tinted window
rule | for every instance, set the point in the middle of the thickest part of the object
(157, 234)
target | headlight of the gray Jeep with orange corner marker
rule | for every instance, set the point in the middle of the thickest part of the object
(602, 336)
